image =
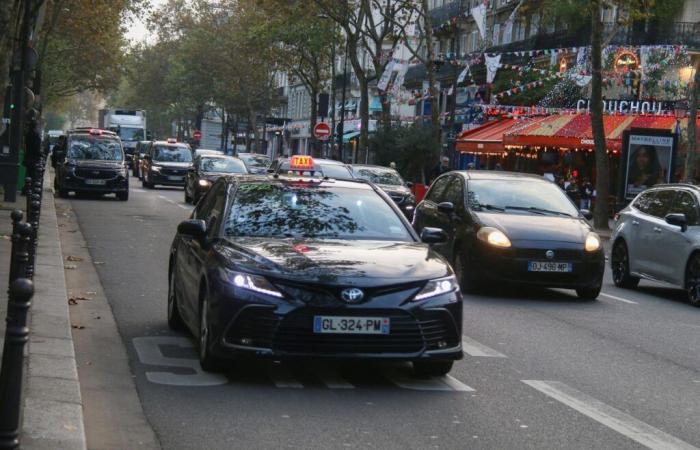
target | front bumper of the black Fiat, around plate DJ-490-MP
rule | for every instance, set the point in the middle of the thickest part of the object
(511, 265)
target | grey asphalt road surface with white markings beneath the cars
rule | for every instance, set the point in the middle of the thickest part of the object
(542, 369)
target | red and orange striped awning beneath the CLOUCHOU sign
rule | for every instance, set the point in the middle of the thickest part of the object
(574, 130)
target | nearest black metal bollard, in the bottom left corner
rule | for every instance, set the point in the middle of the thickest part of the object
(16, 336)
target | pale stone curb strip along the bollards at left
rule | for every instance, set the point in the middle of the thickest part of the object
(53, 410)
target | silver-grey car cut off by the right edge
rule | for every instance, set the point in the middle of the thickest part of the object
(657, 237)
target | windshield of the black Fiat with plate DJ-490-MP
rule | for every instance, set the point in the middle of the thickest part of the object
(519, 196)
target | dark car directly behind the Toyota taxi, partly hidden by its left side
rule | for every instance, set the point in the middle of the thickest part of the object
(206, 170)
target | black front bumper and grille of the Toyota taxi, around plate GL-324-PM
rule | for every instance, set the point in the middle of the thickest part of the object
(251, 325)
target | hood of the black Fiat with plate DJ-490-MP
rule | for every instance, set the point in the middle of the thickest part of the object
(521, 227)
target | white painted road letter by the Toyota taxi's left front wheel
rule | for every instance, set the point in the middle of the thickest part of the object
(149, 352)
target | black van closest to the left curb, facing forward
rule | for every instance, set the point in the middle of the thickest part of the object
(93, 162)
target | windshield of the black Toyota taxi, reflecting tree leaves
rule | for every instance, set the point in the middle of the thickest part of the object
(312, 212)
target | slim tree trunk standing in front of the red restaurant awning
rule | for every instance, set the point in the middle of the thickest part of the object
(602, 185)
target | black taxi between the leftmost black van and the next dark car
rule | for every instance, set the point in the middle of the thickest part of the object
(166, 163)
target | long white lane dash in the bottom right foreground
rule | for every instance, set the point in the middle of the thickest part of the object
(612, 418)
